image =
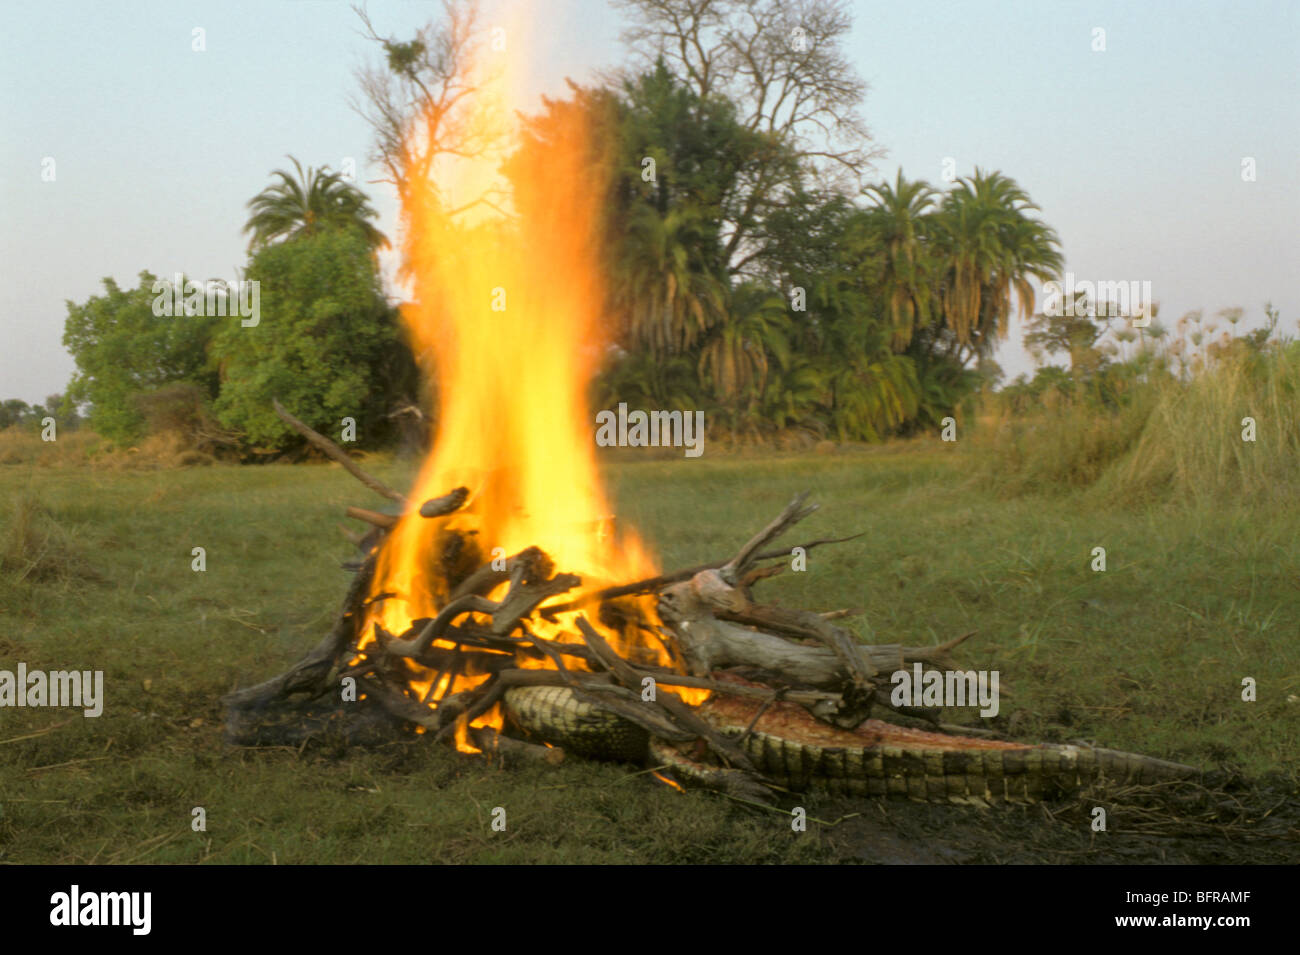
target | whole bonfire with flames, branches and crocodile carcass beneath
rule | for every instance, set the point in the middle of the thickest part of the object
(505, 611)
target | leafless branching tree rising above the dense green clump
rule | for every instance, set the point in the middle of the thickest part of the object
(783, 64)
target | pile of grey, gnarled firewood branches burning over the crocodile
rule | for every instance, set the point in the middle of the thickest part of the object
(707, 618)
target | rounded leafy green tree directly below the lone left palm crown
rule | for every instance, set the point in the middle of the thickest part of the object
(324, 345)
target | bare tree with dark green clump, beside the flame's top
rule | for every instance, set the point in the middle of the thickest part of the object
(421, 99)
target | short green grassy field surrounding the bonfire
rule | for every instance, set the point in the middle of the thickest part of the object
(96, 574)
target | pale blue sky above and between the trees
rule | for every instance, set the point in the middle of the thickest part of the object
(1134, 154)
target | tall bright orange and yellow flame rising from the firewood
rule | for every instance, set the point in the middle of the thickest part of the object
(506, 303)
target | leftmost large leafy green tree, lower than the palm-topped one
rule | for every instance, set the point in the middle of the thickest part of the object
(123, 349)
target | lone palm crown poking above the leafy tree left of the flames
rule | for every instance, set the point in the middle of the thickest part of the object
(314, 202)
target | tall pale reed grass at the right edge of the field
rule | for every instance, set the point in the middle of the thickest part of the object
(1185, 436)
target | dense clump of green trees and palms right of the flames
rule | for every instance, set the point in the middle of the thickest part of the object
(895, 298)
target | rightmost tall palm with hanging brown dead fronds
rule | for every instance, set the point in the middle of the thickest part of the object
(994, 249)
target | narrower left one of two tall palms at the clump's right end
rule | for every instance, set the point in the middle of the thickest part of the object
(900, 216)
